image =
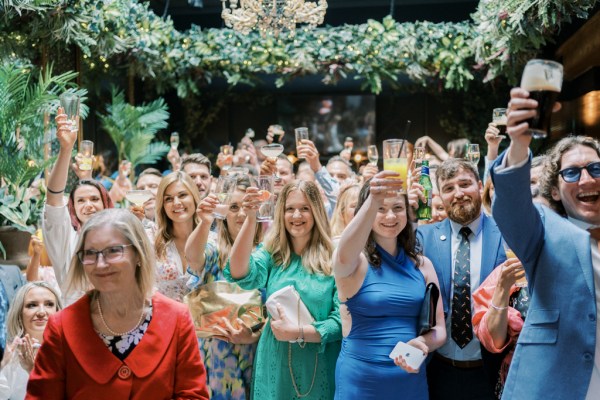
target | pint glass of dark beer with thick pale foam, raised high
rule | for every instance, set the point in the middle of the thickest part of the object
(543, 80)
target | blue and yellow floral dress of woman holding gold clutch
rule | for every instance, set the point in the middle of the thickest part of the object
(228, 366)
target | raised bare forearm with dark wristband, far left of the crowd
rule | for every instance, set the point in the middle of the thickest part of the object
(58, 177)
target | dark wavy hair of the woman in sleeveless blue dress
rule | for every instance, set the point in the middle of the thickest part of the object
(407, 239)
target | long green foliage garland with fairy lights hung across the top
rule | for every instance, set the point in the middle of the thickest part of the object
(502, 34)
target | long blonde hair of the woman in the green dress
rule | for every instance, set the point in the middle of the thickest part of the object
(316, 257)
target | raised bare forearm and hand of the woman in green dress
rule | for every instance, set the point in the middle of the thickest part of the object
(244, 243)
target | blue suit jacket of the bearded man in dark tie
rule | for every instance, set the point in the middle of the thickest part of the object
(436, 240)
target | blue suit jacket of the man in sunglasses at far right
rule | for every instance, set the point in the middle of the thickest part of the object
(554, 357)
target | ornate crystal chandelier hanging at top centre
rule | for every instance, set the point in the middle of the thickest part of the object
(272, 16)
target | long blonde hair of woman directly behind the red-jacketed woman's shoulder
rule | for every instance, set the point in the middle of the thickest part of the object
(164, 234)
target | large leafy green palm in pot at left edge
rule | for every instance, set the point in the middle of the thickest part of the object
(24, 100)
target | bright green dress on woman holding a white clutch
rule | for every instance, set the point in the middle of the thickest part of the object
(272, 379)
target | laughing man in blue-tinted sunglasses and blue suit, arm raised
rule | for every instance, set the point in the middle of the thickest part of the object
(558, 352)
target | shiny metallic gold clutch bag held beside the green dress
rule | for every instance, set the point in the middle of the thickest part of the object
(211, 302)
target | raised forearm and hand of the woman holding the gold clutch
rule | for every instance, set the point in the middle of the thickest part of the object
(196, 243)
